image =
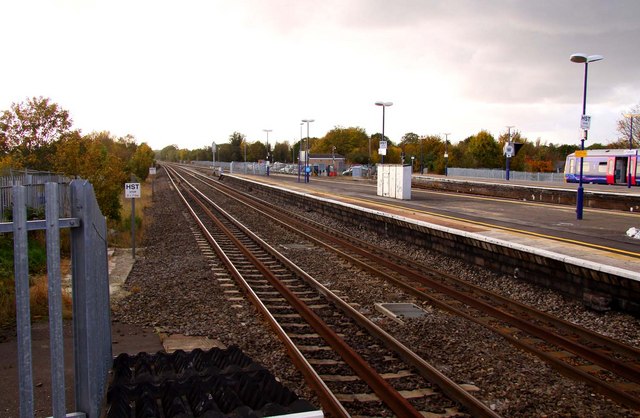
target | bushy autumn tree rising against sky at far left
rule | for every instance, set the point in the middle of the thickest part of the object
(28, 131)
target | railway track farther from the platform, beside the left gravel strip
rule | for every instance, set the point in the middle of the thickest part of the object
(355, 367)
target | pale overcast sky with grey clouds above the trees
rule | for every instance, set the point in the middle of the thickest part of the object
(192, 72)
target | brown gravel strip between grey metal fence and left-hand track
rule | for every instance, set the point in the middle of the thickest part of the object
(173, 289)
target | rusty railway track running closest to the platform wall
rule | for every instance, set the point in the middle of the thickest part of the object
(607, 365)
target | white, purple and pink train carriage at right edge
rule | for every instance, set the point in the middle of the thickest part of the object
(604, 166)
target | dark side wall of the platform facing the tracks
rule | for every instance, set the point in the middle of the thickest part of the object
(579, 280)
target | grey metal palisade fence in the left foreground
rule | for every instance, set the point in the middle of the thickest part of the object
(90, 294)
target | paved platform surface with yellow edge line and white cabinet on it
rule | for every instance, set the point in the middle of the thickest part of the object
(598, 241)
